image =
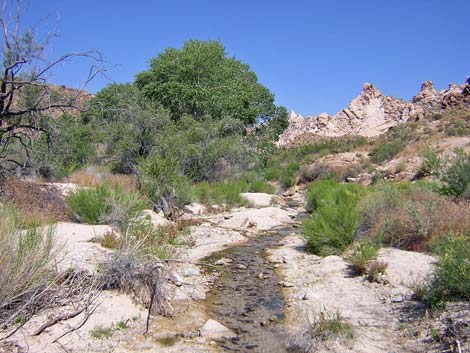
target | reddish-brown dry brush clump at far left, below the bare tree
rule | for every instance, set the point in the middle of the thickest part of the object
(37, 201)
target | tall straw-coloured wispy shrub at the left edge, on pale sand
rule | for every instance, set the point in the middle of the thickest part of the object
(26, 257)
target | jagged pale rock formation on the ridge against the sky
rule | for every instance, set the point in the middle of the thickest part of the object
(372, 113)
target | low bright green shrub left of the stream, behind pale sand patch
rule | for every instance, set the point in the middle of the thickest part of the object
(104, 204)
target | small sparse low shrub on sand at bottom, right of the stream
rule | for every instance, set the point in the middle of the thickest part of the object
(323, 327)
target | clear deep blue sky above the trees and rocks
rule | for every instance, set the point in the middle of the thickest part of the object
(314, 55)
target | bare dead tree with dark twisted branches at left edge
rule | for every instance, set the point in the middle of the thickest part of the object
(27, 99)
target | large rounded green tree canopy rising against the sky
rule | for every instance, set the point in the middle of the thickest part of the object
(201, 80)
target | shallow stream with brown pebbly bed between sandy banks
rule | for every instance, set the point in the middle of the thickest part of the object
(247, 297)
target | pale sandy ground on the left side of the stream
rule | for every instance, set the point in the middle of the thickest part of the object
(82, 250)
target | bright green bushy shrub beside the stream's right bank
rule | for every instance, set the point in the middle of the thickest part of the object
(332, 226)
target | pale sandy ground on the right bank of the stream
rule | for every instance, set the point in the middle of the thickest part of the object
(324, 284)
